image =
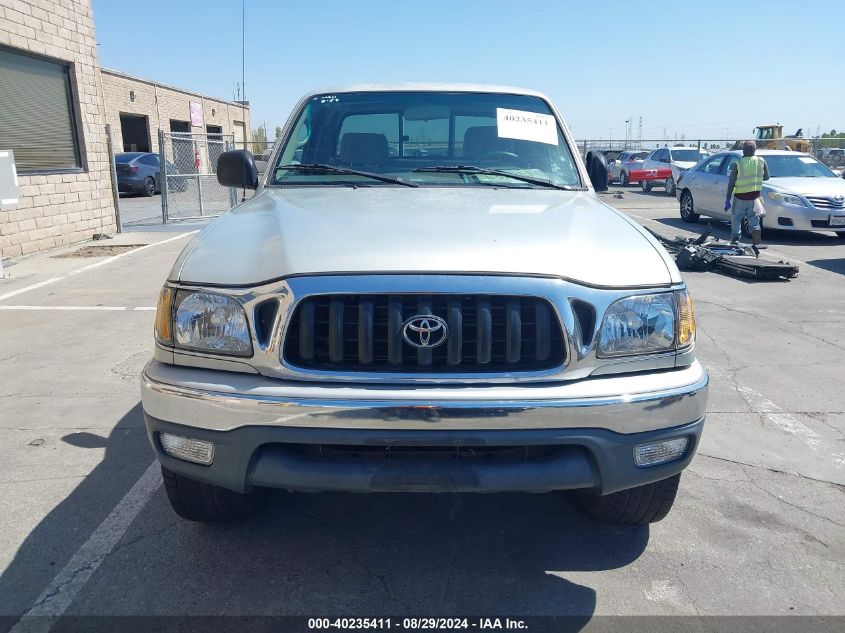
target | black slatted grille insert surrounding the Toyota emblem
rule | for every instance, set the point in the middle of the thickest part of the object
(364, 333)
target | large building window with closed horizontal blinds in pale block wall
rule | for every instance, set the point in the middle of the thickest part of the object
(37, 117)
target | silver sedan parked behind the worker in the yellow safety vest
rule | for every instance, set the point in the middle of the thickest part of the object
(801, 195)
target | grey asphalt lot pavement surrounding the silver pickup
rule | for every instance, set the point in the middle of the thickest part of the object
(85, 528)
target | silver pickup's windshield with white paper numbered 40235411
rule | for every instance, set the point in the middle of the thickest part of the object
(404, 134)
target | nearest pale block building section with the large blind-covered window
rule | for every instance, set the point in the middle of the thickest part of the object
(53, 117)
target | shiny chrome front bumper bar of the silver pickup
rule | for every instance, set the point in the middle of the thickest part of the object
(224, 401)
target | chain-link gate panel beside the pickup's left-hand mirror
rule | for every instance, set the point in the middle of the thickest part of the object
(189, 175)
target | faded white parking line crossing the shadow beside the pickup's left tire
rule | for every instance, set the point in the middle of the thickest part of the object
(62, 591)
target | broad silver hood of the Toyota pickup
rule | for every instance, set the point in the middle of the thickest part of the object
(283, 232)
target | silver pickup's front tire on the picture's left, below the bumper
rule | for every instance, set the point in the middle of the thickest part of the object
(198, 501)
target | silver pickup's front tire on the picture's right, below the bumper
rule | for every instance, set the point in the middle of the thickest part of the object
(636, 506)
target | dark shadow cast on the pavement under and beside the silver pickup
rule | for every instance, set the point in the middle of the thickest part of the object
(323, 553)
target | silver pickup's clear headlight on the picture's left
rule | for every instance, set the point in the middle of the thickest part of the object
(211, 322)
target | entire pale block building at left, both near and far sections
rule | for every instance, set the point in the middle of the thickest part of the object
(55, 102)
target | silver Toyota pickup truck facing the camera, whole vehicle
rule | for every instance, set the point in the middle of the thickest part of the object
(424, 294)
